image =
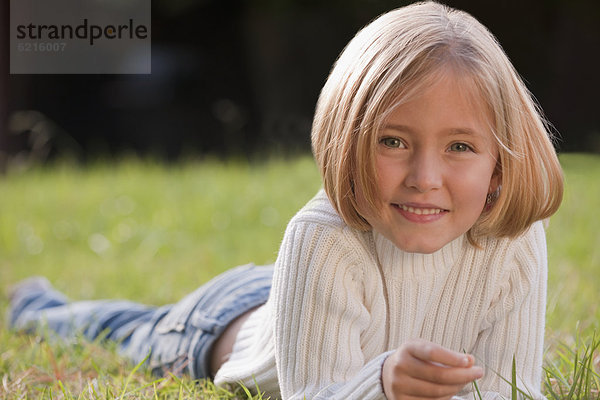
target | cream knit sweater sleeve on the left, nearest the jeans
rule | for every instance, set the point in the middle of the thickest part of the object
(319, 316)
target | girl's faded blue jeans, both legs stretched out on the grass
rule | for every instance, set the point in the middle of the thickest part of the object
(179, 337)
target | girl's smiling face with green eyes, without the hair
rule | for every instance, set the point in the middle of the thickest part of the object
(435, 159)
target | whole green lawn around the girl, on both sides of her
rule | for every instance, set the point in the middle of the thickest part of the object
(151, 232)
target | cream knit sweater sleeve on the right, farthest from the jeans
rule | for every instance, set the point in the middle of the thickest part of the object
(514, 322)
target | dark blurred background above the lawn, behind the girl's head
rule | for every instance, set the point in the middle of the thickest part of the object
(242, 78)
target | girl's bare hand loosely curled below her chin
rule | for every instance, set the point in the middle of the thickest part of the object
(421, 369)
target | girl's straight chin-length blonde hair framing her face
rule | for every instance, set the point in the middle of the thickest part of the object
(396, 56)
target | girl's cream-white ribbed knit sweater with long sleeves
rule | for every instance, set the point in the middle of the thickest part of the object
(343, 300)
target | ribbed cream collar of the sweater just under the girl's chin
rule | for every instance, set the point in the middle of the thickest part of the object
(398, 263)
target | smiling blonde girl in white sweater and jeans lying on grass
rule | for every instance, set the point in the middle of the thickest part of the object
(421, 265)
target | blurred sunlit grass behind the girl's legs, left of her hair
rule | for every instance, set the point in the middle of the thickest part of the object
(146, 231)
